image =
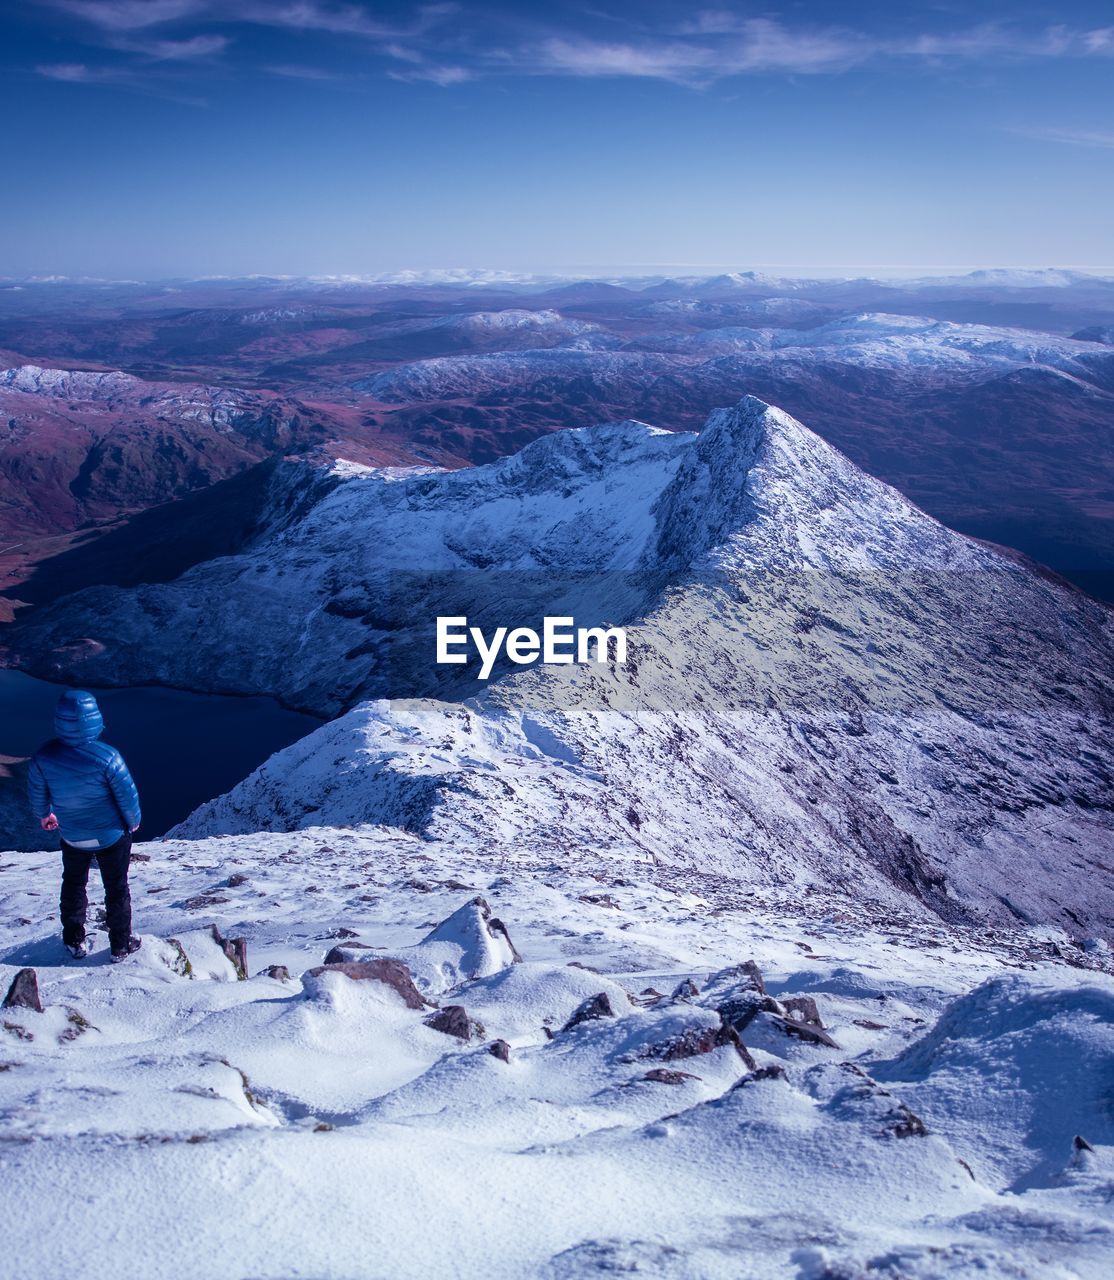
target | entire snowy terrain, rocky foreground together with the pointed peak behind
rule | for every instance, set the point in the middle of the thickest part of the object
(728, 962)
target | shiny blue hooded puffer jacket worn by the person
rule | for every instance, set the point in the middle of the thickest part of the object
(84, 783)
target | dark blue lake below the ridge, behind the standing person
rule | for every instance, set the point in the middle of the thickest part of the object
(182, 748)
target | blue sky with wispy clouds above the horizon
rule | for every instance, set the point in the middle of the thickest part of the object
(185, 138)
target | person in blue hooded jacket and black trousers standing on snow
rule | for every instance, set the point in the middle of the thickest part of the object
(83, 789)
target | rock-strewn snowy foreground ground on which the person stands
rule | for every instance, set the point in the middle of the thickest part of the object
(158, 1123)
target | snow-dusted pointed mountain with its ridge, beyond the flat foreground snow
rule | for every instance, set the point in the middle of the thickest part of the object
(825, 685)
